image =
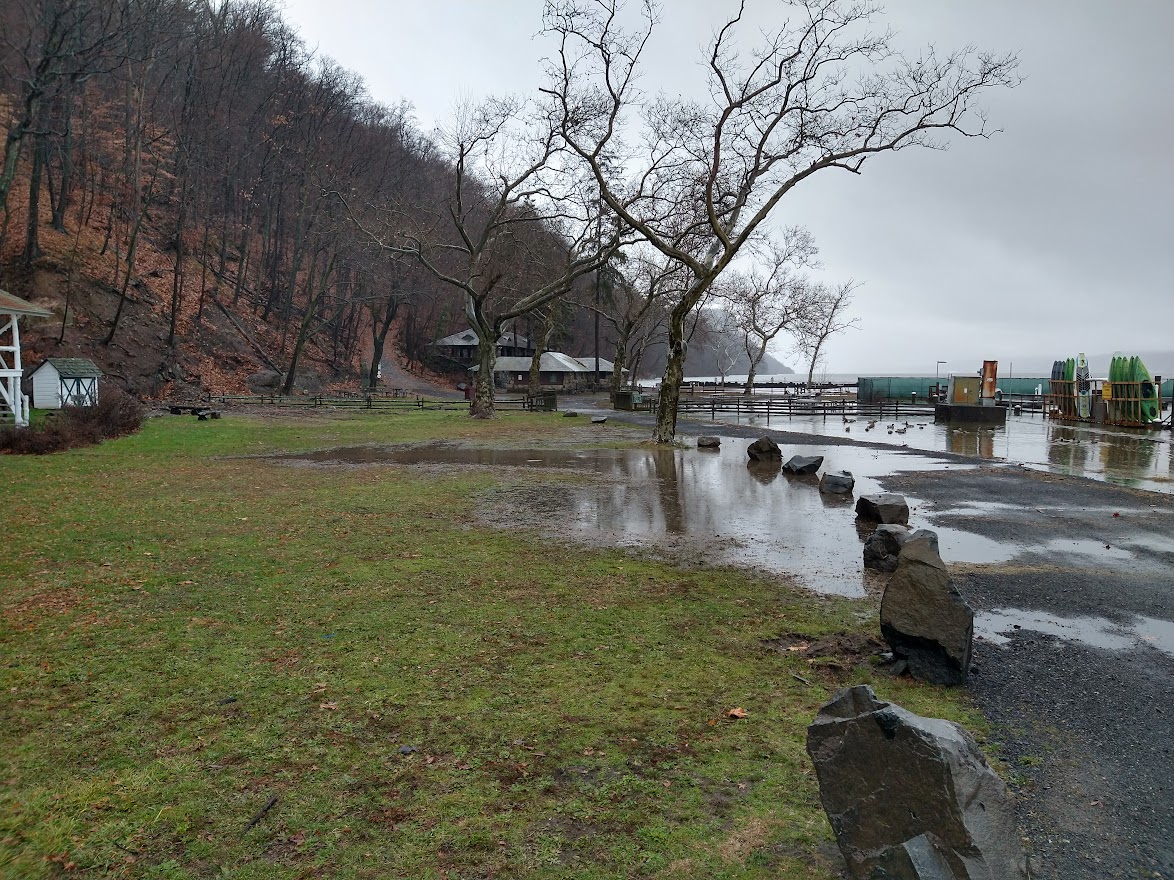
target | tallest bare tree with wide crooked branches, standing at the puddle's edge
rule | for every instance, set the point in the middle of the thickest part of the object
(821, 92)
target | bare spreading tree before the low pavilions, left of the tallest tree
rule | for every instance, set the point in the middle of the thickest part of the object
(518, 228)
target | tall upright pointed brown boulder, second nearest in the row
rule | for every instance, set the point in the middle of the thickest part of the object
(925, 618)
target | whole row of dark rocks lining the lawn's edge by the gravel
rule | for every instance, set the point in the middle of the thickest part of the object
(909, 798)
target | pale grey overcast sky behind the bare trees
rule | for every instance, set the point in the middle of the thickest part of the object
(1054, 238)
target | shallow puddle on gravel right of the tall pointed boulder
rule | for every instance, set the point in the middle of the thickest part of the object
(998, 627)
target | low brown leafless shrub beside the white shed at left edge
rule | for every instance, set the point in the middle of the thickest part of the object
(117, 415)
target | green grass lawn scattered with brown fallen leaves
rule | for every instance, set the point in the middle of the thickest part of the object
(191, 629)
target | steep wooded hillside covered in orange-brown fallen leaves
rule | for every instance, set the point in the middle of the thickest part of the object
(174, 188)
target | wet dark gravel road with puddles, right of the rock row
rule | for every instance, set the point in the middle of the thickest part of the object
(1087, 733)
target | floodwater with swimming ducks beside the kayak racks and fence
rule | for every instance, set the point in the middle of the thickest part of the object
(1138, 458)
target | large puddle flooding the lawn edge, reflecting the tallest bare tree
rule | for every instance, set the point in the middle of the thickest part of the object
(739, 515)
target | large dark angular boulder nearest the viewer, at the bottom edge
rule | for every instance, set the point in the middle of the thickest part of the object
(910, 798)
